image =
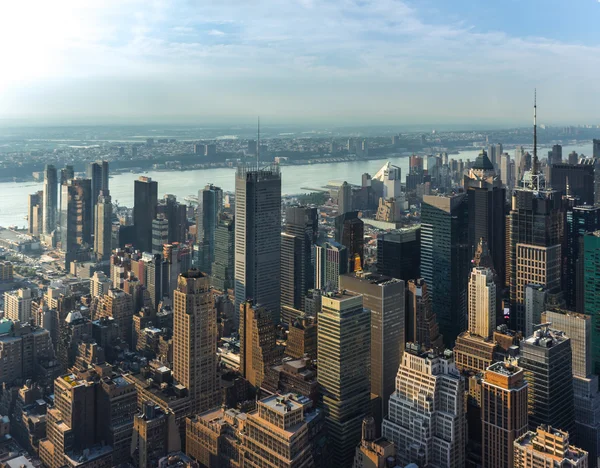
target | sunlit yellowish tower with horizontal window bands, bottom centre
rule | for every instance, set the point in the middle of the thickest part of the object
(343, 353)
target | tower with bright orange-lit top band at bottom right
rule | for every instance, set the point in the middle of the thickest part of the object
(504, 413)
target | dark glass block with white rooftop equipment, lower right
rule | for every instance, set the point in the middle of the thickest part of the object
(547, 361)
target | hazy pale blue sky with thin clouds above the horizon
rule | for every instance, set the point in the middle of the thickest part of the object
(344, 61)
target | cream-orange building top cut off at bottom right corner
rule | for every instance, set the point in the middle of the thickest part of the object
(547, 447)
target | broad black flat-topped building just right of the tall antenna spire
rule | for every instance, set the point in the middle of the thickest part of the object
(579, 177)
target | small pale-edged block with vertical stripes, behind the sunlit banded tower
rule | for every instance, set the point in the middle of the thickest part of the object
(331, 261)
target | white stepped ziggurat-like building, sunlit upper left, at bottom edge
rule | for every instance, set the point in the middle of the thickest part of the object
(426, 421)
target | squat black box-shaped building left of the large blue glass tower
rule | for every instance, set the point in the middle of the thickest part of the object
(399, 253)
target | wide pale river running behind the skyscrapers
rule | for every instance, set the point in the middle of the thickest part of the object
(13, 196)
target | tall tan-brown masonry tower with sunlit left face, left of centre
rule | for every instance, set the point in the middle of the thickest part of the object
(195, 340)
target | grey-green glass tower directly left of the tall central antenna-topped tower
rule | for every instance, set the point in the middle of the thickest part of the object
(223, 266)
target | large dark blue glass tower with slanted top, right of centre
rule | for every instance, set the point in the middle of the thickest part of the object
(445, 260)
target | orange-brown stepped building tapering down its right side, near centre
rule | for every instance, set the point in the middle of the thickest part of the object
(258, 343)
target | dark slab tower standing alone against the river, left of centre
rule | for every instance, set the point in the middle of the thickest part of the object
(144, 211)
